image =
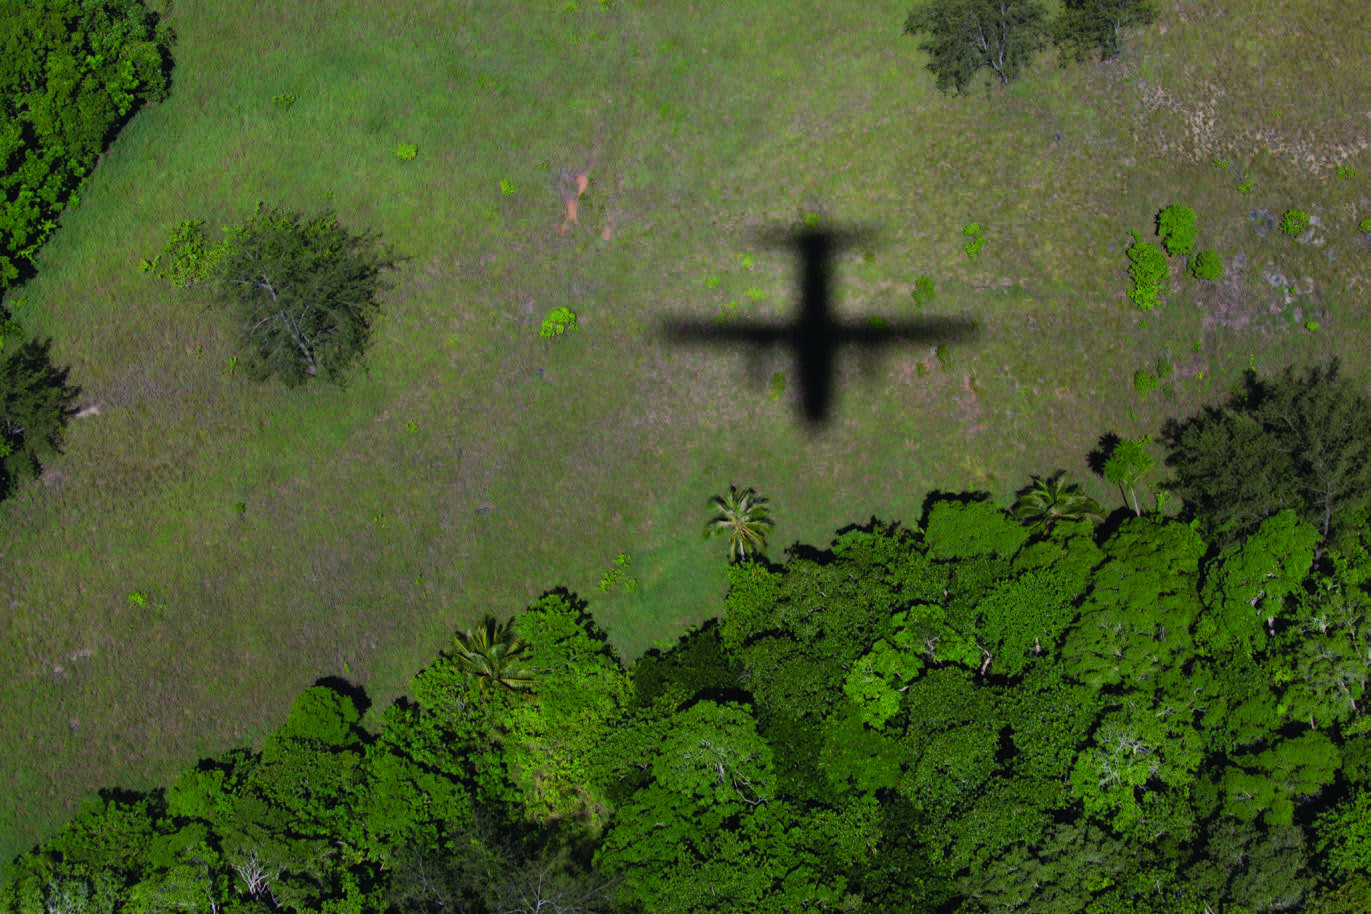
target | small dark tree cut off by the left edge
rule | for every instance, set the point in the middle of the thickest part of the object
(35, 405)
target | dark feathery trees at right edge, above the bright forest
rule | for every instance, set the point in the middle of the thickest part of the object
(1291, 442)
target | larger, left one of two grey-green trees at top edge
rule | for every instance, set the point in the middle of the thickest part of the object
(964, 38)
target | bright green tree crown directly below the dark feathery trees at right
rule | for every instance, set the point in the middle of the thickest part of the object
(1246, 590)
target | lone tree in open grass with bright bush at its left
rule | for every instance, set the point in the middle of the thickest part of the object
(302, 290)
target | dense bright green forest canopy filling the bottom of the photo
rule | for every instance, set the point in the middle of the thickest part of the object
(975, 713)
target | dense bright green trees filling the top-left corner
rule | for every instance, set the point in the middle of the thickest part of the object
(72, 73)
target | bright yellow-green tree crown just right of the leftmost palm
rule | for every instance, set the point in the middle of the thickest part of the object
(581, 693)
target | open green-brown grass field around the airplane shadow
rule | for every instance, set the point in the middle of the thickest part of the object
(475, 465)
